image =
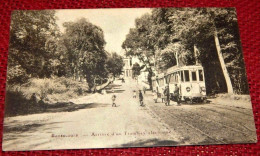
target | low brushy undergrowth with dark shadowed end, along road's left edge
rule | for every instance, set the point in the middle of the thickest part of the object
(46, 91)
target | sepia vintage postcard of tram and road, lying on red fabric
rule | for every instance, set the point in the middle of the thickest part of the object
(113, 78)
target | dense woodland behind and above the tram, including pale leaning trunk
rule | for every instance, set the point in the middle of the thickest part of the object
(168, 37)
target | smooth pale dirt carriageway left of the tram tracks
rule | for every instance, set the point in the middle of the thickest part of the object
(98, 125)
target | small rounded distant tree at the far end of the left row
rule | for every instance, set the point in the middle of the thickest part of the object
(115, 64)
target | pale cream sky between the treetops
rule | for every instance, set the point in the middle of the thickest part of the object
(114, 22)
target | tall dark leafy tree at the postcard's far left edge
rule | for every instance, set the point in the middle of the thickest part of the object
(29, 32)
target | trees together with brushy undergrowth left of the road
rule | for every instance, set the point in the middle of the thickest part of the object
(47, 67)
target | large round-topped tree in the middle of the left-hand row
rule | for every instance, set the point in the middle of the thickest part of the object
(84, 44)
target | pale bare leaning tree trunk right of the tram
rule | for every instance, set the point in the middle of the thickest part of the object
(222, 63)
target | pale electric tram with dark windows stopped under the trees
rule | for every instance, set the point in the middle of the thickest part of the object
(189, 79)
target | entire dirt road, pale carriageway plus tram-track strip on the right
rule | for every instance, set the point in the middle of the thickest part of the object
(100, 125)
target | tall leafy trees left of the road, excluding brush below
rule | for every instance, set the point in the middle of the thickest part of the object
(38, 49)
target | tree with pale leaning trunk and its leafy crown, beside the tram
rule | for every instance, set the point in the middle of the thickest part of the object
(199, 26)
